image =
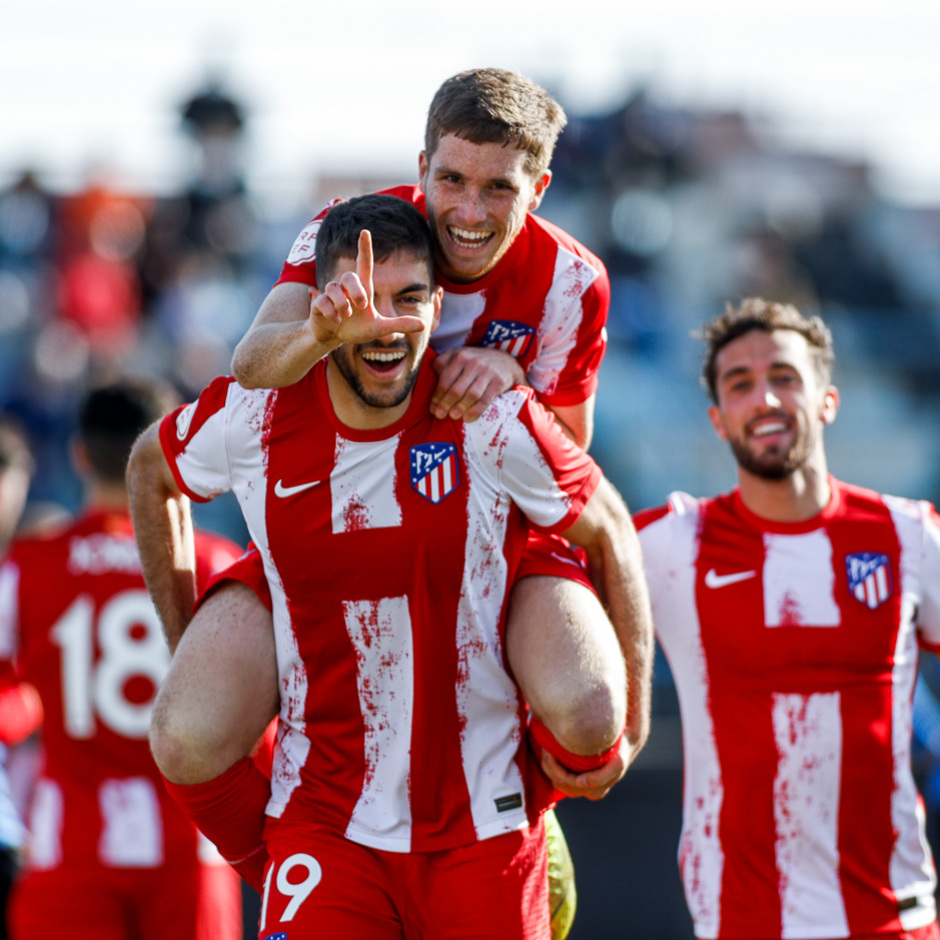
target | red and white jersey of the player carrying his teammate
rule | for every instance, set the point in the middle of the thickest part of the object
(388, 554)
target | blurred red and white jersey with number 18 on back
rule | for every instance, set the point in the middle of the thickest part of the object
(78, 624)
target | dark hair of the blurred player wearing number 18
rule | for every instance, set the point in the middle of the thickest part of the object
(112, 416)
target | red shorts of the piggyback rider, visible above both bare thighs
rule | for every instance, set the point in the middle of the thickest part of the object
(546, 555)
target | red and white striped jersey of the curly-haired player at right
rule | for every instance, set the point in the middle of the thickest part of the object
(794, 652)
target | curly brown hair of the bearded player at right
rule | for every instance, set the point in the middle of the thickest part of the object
(755, 313)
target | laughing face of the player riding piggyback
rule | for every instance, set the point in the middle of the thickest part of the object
(478, 196)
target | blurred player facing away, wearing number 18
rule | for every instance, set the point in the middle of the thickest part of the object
(111, 856)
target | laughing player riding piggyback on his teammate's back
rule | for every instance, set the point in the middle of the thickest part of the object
(529, 304)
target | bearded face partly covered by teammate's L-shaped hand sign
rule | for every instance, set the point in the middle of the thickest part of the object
(382, 373)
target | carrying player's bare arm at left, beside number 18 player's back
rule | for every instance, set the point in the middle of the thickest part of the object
(163, 528)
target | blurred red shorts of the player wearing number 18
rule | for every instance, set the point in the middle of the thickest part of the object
(186, 903)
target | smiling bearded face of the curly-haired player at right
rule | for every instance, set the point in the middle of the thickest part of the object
(772, 404)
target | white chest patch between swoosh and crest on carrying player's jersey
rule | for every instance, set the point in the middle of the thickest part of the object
(362, 486)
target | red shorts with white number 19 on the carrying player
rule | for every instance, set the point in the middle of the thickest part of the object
(319, 883)
